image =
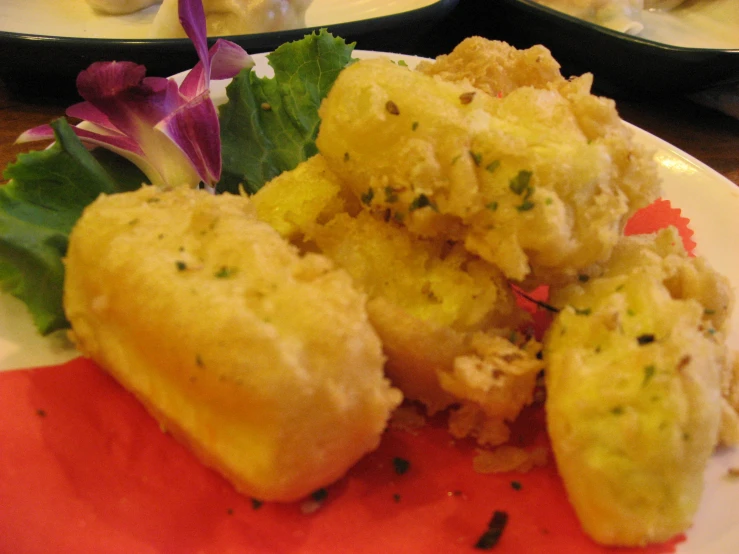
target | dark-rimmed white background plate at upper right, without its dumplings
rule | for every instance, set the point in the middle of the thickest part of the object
(692, 48)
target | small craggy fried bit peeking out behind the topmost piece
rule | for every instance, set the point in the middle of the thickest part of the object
(495, 66)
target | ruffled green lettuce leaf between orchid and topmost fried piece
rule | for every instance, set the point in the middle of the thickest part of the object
(269, 125)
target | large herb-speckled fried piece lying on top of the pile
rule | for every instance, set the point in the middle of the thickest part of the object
(539, 182)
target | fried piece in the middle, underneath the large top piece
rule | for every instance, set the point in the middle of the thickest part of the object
(441, 312)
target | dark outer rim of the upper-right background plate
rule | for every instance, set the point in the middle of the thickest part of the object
(623, 65)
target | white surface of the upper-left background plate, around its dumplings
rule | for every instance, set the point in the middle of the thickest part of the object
(75, 18)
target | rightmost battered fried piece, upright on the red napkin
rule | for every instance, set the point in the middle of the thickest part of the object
(635, 360)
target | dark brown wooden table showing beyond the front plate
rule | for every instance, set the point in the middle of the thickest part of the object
(708, 135)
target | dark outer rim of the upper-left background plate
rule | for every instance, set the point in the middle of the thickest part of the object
(43, 66)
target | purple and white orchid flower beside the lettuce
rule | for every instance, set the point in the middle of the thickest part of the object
(170, 131)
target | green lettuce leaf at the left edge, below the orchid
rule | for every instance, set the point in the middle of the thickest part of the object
(42, 200)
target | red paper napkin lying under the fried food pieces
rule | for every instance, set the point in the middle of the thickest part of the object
(83, 468)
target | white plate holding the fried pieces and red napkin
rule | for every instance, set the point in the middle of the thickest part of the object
(708, 199)
